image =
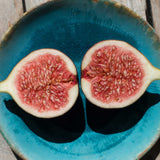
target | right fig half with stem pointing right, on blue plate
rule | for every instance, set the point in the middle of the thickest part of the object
(115, 74)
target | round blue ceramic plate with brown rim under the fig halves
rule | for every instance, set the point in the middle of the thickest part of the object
(86, 132)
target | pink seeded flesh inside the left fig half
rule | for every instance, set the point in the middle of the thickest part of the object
(44, 82)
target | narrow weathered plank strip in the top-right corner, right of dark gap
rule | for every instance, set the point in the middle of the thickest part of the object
(155, 5)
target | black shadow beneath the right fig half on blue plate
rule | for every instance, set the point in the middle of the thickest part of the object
(108, 121)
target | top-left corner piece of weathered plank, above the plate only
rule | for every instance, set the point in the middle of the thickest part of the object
(10, 11)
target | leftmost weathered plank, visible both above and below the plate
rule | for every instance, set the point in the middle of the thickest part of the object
(10, 12)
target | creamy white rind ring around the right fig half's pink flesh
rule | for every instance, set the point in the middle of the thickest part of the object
(148, 71)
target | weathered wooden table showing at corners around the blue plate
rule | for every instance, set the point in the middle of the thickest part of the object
(12, 10)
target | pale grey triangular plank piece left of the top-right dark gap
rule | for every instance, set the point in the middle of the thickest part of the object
(138, 6)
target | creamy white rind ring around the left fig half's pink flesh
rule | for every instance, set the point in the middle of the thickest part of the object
(9, 86)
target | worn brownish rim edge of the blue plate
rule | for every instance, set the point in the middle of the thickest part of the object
(116, 4)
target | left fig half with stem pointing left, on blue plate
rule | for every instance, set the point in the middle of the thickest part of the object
(44, 83)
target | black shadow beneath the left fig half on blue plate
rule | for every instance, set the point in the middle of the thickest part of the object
(65, 128)
